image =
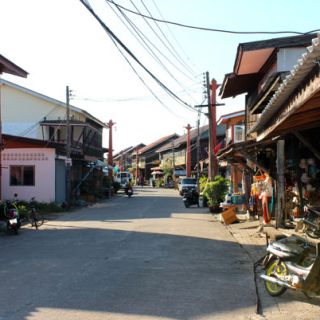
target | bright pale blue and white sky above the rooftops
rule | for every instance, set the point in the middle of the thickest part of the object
(59, 43)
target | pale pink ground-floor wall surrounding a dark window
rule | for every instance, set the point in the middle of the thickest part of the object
(44, 161)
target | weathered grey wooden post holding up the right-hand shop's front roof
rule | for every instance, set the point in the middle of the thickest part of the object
(280, 184)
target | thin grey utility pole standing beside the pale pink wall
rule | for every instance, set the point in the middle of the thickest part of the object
(68, 149)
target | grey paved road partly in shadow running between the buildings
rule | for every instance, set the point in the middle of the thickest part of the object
(146, 257)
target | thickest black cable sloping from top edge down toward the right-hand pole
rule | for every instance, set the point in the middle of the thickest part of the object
(129, 52)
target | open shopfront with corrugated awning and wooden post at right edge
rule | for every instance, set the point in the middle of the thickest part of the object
(292, 117)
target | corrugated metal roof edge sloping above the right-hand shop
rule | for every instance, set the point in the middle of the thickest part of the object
(304, 65)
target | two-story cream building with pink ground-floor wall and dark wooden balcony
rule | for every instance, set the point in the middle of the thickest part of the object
(31, 115)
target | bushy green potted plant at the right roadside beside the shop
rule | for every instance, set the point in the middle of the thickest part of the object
(215, 191)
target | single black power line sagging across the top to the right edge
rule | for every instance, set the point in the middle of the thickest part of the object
(209, 29)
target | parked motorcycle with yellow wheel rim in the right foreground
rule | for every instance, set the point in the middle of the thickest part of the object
(292, 263)
